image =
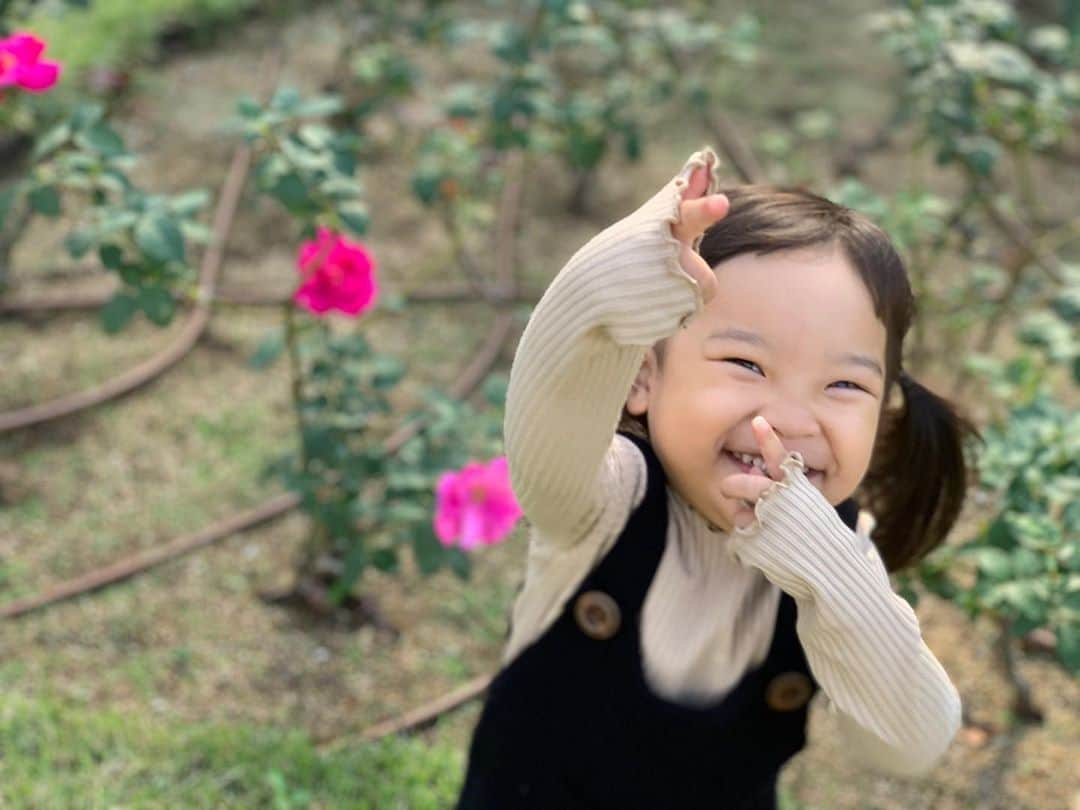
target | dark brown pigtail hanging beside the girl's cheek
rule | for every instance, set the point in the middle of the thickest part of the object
(920, 475)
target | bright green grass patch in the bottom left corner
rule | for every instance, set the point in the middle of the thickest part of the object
(62, 757)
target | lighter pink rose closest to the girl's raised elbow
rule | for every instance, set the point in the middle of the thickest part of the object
(476, 506)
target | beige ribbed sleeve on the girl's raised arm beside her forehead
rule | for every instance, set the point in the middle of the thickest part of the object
(620, 294)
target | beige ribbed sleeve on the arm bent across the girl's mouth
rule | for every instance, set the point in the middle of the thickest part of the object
(862, 641)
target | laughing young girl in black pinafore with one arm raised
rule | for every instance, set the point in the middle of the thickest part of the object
(687, 421)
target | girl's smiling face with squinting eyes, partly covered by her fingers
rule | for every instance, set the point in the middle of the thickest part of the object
(790, 335)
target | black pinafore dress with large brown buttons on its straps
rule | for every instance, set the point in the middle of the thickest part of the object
(572, 724)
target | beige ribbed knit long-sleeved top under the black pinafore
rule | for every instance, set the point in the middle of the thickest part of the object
(712, 606)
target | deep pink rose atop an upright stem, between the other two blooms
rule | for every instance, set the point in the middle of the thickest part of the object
(336, 275)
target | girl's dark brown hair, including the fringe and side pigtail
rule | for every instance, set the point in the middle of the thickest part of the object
(919, 475)
